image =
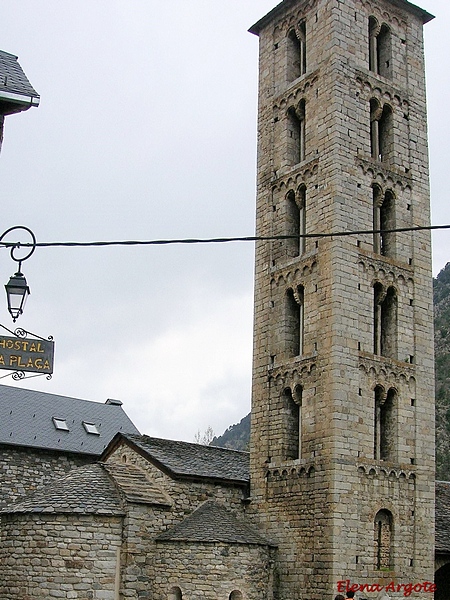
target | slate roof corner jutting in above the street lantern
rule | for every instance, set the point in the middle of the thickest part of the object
(16, 92)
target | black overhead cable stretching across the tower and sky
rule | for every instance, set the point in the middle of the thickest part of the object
(219, 240)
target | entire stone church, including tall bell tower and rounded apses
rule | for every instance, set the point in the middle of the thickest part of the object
(338, 490)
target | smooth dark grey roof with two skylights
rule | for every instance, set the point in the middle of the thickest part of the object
(26, 419)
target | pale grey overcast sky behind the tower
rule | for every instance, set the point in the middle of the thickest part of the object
(147, 130)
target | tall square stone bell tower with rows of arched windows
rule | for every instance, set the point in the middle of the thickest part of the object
(342, 449)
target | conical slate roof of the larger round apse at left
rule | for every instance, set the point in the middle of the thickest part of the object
(85, 490)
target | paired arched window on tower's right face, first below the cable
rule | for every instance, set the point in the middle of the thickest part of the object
(385, 321)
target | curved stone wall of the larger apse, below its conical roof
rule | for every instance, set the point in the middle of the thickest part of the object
(59, 556)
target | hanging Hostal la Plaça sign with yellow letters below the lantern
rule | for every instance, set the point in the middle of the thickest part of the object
(27, 354)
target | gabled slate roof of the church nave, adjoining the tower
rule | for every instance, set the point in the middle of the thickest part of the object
(186, 460)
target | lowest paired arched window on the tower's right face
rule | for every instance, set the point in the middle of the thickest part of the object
(385, 424)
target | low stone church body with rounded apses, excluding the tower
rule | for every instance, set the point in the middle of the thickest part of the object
(157, 519)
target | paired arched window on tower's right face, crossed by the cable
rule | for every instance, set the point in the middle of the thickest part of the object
(383, 222)
